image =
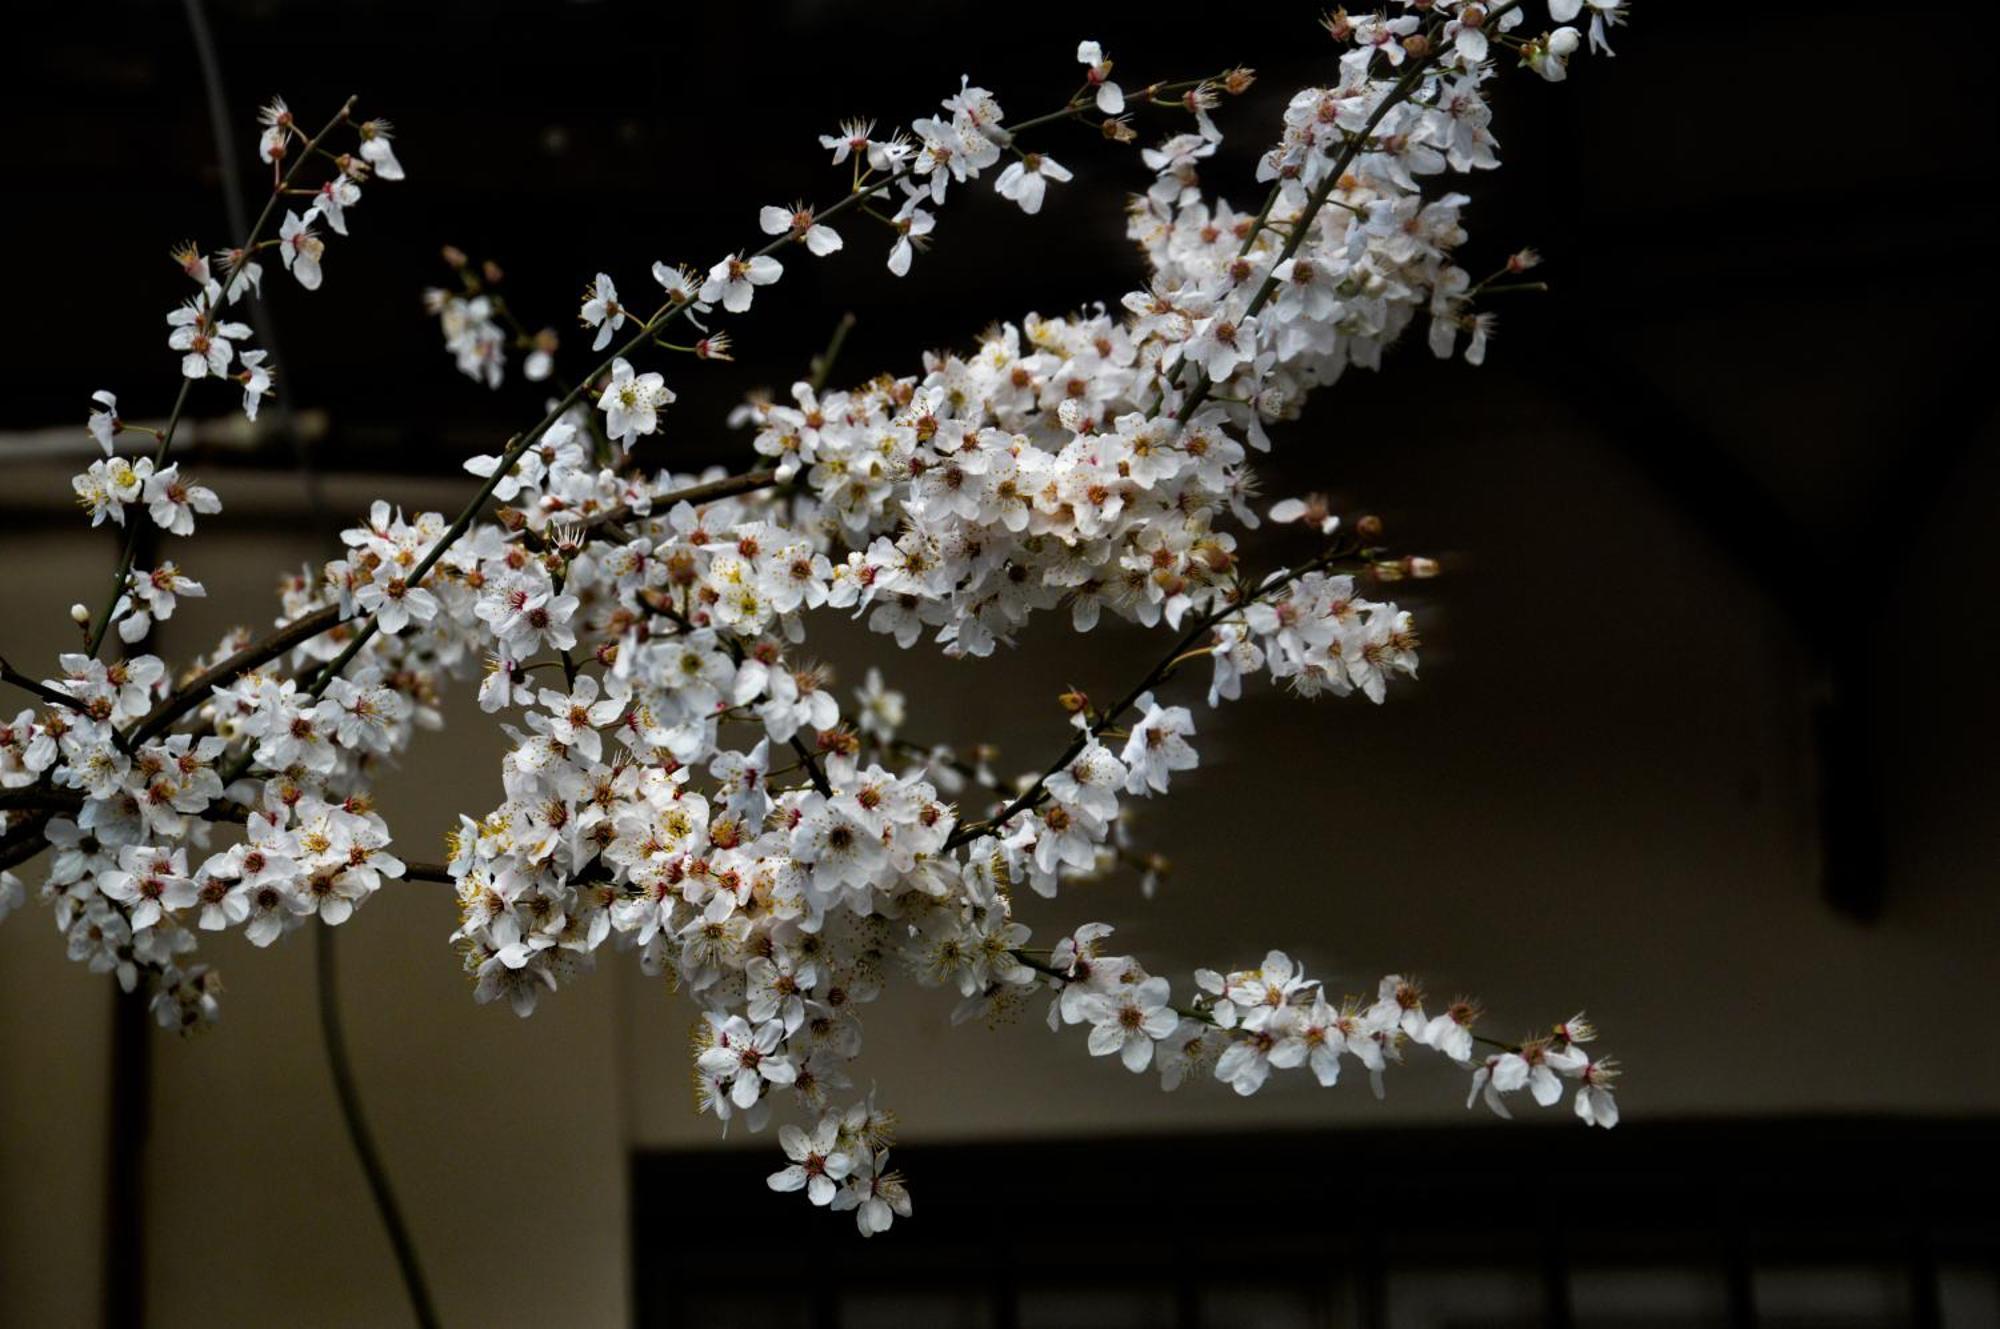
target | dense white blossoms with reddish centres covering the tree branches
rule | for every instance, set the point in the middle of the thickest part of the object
(681, 780)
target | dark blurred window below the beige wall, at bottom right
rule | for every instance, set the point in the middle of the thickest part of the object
(1775, 1224)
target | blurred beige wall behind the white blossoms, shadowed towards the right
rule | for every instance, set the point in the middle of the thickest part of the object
(1599, 796)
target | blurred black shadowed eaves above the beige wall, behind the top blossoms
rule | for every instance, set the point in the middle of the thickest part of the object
(1767, 227)
